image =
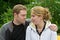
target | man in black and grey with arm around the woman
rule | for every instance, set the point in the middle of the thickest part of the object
(16, 29)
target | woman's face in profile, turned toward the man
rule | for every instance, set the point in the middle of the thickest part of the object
(36, 19)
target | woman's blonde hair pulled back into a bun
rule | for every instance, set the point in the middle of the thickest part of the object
(41, 10)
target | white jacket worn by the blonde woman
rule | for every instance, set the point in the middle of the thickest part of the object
(47, 34)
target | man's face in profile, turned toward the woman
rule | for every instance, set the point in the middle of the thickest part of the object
(21, 16)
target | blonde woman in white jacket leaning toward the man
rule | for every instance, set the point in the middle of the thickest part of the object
(39, 27)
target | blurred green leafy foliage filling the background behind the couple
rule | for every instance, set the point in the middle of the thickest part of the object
(6, 9)
